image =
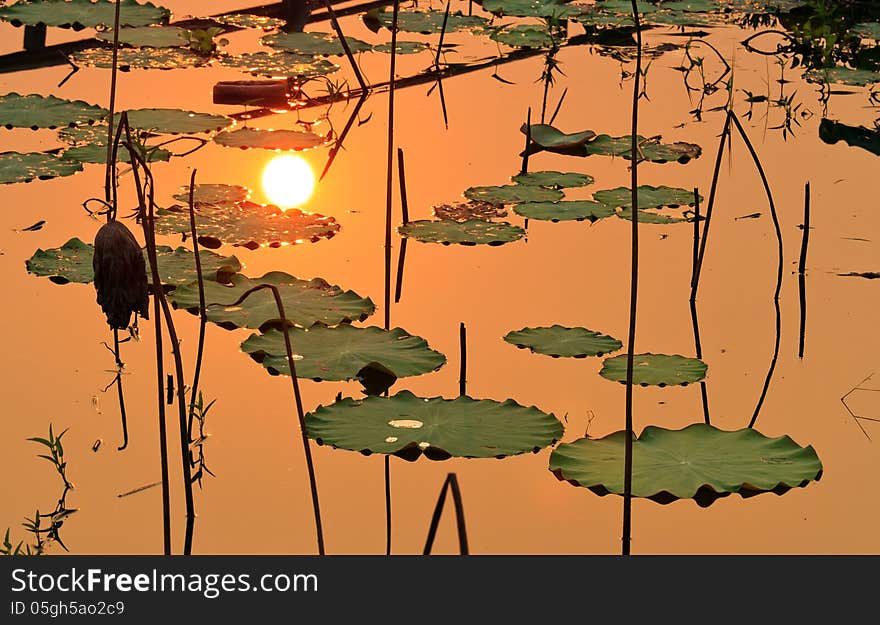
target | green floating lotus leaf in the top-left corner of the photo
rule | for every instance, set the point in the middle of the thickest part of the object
(79, 14)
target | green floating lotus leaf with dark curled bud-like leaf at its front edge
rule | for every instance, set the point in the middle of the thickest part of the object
(335, 354)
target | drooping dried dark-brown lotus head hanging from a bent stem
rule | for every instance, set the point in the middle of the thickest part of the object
(120, 275)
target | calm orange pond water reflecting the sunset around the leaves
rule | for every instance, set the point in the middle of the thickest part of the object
(571, 273)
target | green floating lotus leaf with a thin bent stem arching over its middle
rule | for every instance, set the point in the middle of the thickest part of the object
(306, 302)
